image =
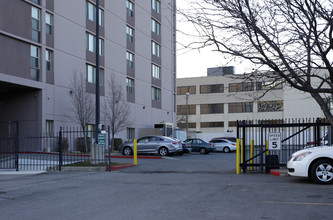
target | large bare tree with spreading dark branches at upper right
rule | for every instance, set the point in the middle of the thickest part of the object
(292, 39)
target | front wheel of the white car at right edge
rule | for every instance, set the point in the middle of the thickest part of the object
(322, 171)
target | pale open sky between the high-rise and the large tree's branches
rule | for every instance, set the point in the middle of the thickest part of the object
(194, 63)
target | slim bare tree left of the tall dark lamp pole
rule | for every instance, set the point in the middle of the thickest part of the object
(83, 104)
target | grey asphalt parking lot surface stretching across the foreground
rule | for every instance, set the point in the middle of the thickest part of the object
(192, 186)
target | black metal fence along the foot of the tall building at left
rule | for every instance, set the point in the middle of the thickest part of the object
(44, 152)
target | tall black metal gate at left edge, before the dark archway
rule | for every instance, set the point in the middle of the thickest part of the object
(9, 143)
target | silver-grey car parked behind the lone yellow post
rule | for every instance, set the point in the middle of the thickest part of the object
(153, 144)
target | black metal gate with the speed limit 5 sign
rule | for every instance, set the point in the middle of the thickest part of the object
(259, 153)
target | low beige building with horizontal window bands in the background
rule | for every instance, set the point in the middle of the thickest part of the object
(216, 102)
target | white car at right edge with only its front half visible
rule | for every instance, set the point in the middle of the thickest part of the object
(314, 162)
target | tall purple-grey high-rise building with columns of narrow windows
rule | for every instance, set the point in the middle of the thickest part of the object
(44, 43)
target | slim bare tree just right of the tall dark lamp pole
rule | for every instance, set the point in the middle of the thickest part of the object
(117, 111)
